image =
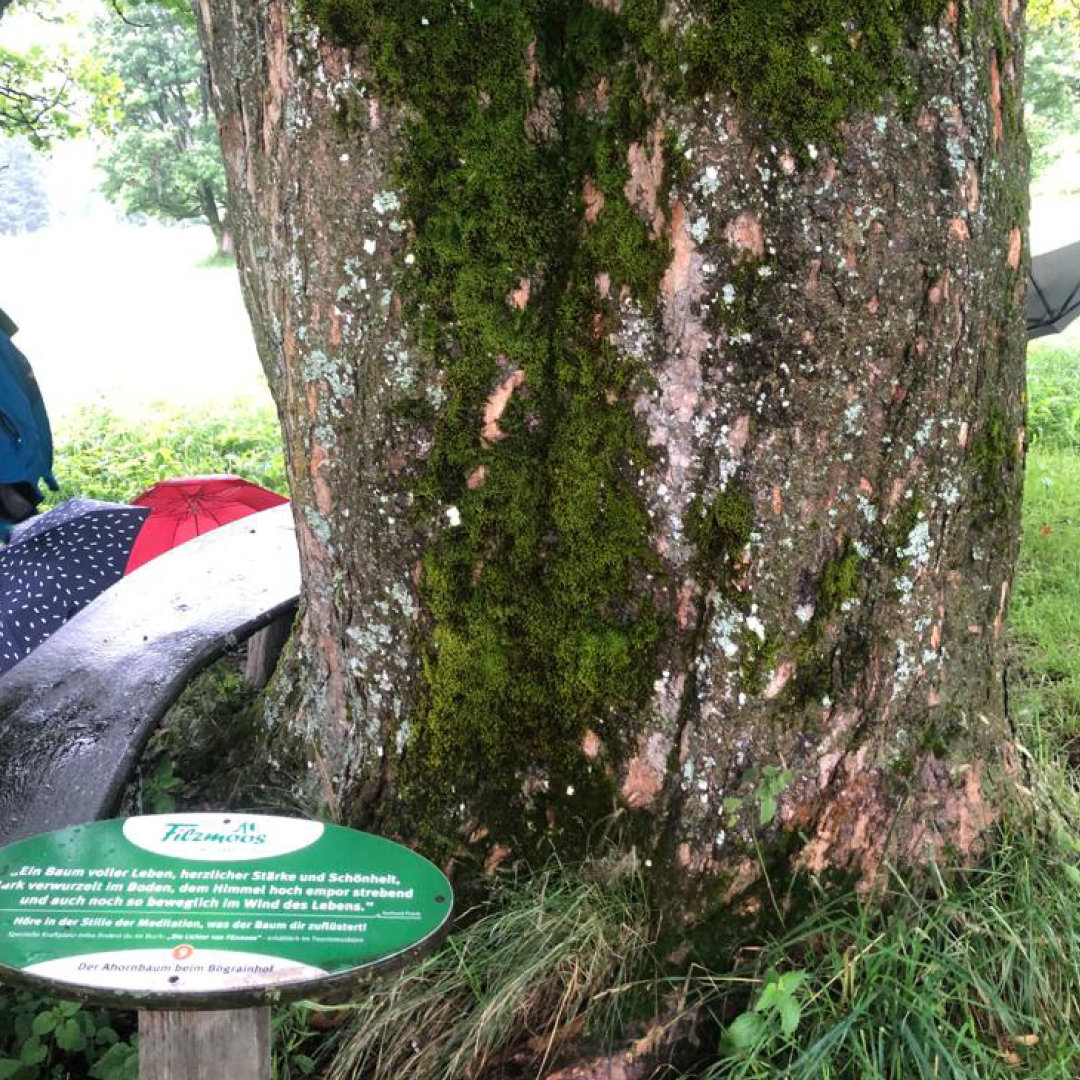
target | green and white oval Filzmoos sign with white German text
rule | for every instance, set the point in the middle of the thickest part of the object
(188, 909)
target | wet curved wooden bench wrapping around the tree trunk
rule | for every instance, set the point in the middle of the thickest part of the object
(76, 714)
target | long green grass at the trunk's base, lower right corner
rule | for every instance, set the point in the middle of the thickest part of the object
(971, 975)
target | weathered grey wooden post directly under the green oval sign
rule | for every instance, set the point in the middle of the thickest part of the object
(205, 1046)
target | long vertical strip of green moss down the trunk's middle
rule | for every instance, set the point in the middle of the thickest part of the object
(538, 631)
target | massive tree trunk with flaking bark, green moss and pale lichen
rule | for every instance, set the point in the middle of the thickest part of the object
(652, 381)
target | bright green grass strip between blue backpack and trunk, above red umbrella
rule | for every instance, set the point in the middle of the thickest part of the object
(101, 455)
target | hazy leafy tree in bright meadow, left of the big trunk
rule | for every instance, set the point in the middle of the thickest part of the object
(163, 157)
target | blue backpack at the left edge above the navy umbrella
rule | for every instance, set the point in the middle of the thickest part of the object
(26, 440)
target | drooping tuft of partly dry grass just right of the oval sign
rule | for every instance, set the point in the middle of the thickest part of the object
(548, 962)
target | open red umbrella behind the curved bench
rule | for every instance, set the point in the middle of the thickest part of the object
(187, 507)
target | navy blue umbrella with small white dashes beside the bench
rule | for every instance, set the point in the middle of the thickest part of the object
(57, 564)
